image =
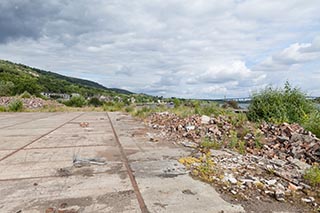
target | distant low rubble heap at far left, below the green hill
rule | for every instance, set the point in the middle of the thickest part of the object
(29, 103)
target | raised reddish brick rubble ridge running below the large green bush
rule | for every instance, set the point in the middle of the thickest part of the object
(284, 142)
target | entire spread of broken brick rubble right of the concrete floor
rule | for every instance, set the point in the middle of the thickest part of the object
(274, 169)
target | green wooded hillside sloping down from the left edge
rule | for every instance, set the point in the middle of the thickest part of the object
(17, 78)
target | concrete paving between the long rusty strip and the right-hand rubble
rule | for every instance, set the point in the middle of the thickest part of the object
(163, 181)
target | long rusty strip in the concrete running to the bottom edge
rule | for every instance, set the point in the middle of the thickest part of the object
(125, 160)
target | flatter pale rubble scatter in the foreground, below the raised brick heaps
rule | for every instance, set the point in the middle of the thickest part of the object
(255, 177)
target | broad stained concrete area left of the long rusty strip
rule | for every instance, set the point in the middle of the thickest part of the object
(42, 176)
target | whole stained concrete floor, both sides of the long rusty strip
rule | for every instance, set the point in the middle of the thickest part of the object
(51, 163)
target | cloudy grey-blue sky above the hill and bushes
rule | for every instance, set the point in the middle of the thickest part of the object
(182, 48)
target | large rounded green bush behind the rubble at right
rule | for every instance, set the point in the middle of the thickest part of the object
(280, 105)
